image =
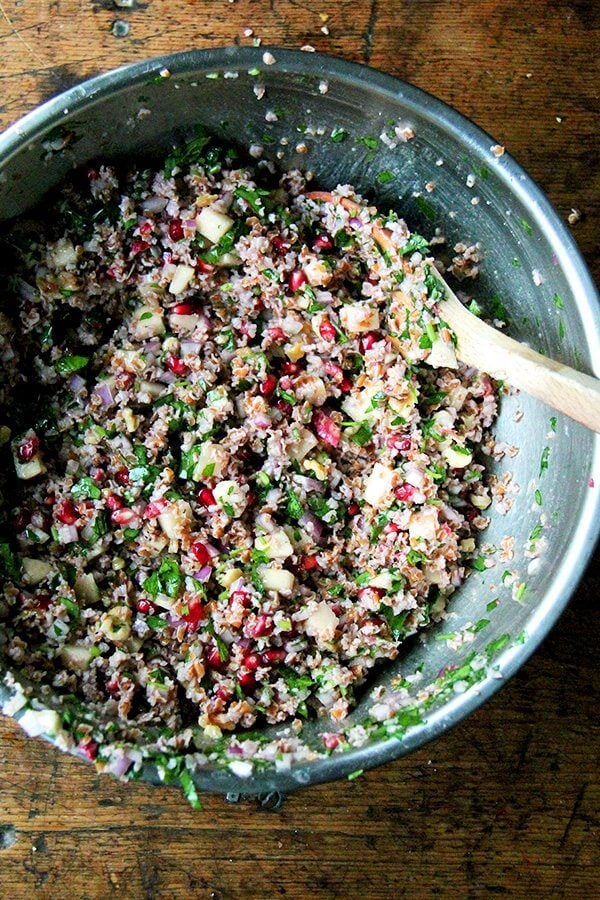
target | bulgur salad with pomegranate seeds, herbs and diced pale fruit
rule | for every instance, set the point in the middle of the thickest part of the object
(246, 455)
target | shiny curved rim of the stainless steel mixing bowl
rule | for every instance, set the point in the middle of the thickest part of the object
(52, 113)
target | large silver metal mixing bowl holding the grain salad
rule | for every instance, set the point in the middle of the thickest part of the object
(326, 108)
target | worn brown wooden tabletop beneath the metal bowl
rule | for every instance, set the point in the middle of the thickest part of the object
(509, 803)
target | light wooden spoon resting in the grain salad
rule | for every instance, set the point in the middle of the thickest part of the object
(479, 345)
